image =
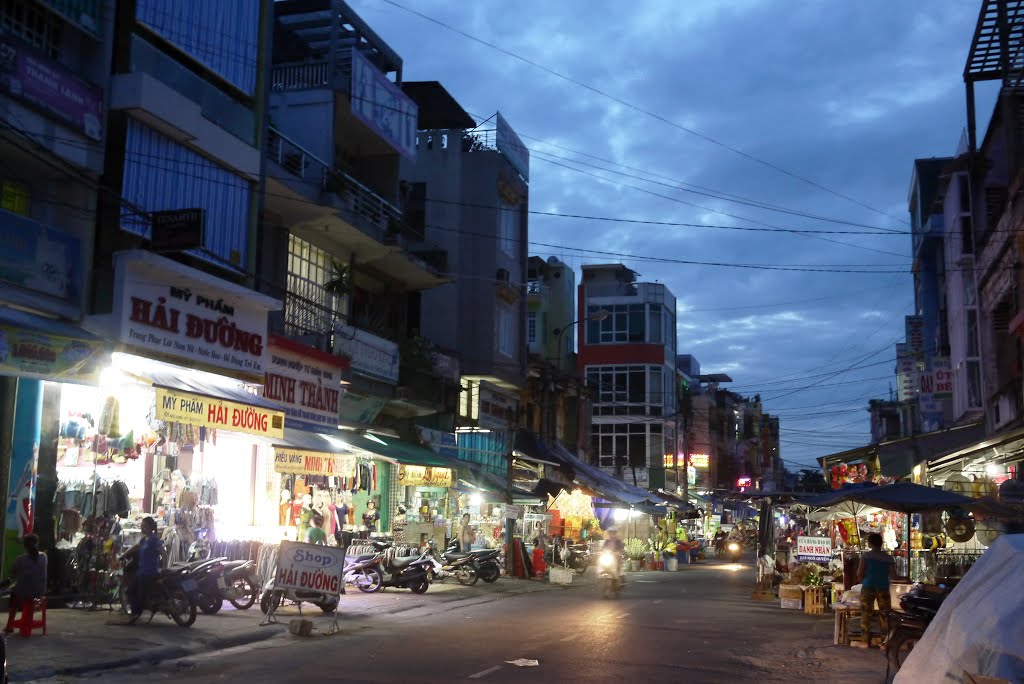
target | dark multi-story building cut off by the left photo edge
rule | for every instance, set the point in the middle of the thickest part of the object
(56, 65)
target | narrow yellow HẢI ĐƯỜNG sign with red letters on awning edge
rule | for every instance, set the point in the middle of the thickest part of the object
(205, 412)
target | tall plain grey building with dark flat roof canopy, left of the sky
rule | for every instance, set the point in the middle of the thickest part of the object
(470, 190)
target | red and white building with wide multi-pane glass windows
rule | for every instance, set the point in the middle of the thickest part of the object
(628, 357)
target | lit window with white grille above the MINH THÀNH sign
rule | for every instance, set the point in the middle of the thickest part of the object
(309, 309)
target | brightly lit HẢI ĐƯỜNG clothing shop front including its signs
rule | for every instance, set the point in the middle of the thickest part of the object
(176, 427)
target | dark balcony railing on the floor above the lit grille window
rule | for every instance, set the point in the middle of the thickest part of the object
(383, 220)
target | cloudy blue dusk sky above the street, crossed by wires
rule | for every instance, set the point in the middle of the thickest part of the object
(844, 95)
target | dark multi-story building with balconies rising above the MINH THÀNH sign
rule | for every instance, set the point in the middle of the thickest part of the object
(345, 243)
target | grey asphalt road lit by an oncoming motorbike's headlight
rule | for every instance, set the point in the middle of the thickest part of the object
(698, 625)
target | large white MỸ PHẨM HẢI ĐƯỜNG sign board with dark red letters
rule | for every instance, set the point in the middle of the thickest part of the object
(175, 311)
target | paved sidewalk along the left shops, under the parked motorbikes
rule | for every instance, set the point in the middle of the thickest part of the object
(82, 642)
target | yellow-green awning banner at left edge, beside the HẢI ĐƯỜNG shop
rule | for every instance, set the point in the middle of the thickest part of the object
(29, 354)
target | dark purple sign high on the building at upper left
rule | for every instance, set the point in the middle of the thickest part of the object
(31, 77)
